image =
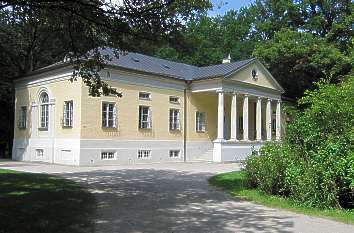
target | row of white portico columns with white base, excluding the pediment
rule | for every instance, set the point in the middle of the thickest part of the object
(243, 136)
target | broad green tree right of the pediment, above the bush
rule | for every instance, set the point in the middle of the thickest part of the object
(298, 59)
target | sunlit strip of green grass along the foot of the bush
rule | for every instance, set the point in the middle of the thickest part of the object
(235, 184)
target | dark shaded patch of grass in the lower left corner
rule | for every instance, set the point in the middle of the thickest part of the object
(38, 203)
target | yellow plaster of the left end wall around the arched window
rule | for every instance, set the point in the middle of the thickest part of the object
(59, 90)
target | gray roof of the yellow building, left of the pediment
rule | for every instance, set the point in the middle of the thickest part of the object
(144, 63)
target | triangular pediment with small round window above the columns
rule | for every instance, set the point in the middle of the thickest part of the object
(262, 78)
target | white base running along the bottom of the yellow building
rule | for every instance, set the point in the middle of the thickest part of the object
(87, 152)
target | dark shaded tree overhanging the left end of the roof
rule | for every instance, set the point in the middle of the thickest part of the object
(34, 34)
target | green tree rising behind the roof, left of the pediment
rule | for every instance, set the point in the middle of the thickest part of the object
(207, 40)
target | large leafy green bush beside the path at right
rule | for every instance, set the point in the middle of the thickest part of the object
(314, 165)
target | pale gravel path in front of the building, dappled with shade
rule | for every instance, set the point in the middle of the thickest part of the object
(175, 198)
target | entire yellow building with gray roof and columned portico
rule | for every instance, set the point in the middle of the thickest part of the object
(169, 112)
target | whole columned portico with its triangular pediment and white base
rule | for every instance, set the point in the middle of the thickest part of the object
(248, 112)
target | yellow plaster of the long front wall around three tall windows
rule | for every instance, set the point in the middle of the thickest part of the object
(128, 114)
